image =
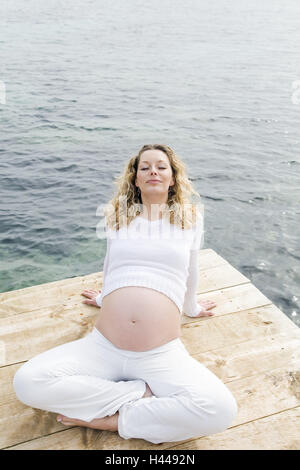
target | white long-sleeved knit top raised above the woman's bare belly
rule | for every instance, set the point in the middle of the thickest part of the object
(158, 255)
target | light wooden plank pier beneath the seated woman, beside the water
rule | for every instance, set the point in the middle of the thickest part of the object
(249, 344)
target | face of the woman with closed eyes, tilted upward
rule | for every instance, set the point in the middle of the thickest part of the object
(154, 174)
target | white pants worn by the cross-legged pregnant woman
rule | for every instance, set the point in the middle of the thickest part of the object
(91, 378)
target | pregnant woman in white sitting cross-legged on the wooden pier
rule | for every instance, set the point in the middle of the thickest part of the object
(132, 374)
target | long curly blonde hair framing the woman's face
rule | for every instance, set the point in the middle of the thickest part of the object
(127, 204)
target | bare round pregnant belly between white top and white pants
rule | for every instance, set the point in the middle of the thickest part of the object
(138, 318)
